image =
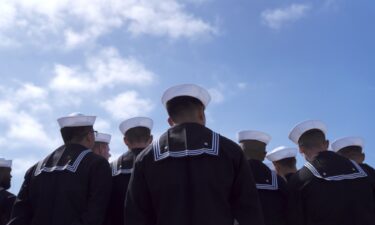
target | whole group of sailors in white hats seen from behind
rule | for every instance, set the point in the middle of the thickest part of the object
(192, 175)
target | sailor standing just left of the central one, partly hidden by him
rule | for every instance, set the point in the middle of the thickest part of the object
(137, 136)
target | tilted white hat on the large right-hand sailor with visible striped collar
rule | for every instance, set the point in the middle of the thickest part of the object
(301, 128)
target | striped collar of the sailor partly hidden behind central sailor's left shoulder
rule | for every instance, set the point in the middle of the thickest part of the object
(124, 164)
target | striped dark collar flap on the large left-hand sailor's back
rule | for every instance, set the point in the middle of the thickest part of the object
(62, 159)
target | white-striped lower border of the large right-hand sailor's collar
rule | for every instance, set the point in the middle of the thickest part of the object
(355, 171)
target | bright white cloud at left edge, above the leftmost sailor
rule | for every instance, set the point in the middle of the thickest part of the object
(20, 108)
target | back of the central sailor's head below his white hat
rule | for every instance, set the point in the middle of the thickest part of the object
(184, 109)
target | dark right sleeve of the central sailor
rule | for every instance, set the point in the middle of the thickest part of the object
(245, 200)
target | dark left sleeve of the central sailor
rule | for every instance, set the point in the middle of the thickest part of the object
(138, 205)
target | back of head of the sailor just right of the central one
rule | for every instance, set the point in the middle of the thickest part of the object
(254, 149)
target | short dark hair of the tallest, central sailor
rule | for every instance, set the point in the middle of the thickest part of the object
(183, 106)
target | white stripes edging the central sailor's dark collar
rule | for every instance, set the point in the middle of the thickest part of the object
(183, 153)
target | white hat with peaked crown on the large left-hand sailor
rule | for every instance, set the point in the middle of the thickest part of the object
(76, 120)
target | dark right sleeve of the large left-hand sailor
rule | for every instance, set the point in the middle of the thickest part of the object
(100, 185)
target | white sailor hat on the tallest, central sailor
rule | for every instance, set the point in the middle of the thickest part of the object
(191, 90)
